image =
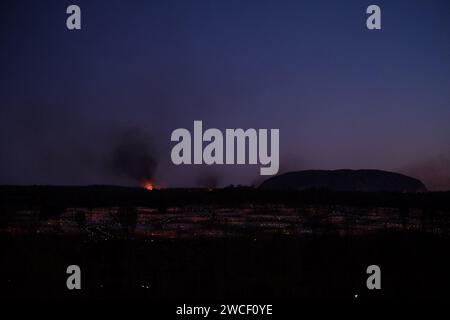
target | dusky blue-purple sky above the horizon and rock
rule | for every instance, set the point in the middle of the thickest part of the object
(341, 95)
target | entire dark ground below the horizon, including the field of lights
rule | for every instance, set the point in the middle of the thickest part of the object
(225, 245)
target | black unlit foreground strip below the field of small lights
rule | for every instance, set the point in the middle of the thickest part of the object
(308, 267)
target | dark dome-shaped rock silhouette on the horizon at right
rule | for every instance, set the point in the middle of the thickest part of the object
(344, 180)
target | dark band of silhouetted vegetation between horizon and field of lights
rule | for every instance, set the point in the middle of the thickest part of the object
(52, 200)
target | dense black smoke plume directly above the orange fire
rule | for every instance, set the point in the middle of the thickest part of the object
(132, 157)
